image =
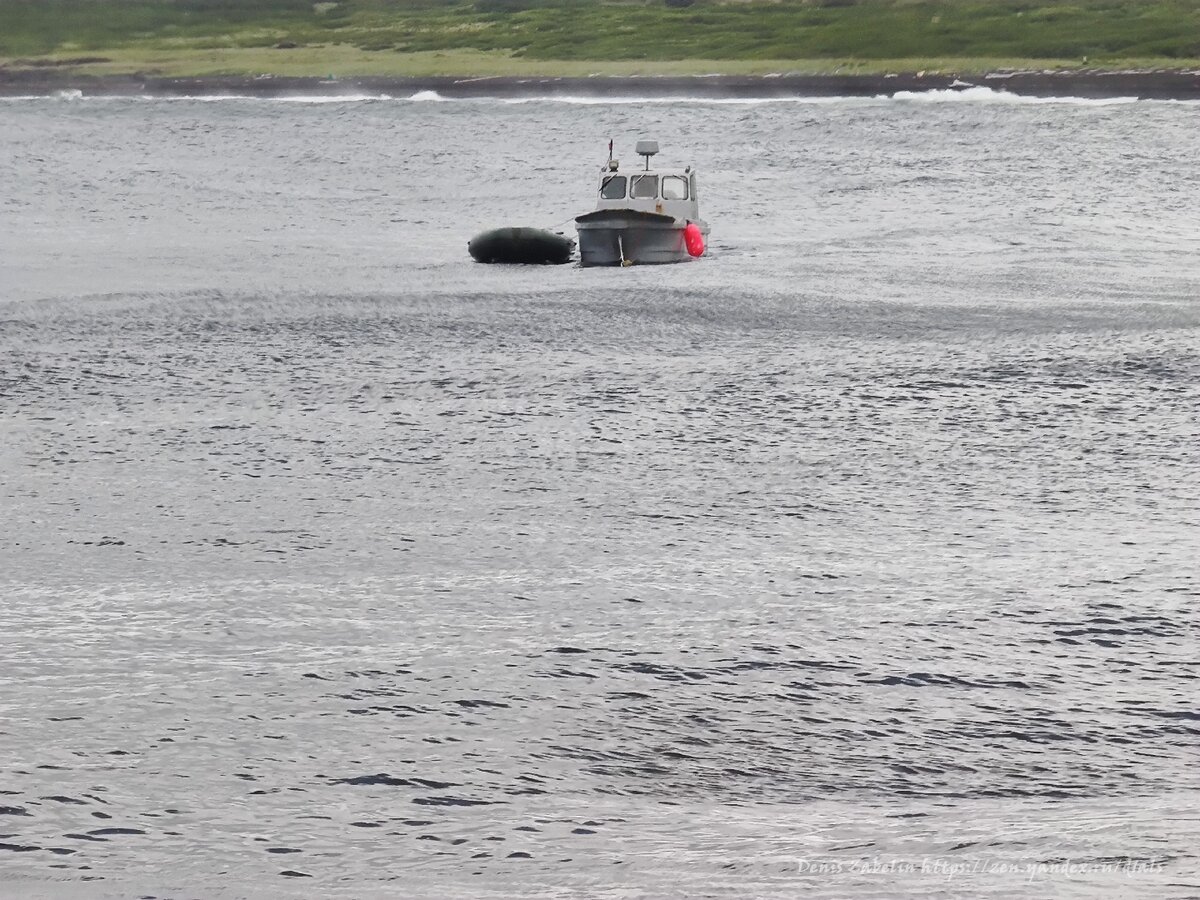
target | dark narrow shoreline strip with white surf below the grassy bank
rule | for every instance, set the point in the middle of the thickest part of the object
(1157, 85)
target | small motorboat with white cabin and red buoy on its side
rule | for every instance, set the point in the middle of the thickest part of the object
(643, 218)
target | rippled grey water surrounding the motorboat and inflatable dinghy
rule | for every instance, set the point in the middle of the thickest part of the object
(855, 560)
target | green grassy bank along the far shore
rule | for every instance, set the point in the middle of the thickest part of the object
(398, 38)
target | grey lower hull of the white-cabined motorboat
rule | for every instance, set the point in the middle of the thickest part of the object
(629, 238)
